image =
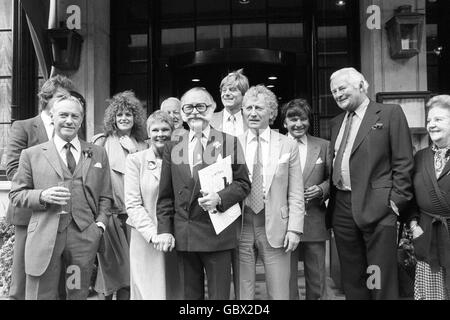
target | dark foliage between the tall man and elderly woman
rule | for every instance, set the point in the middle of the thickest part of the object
(406, 262)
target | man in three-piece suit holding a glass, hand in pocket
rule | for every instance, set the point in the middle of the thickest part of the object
(67, 185)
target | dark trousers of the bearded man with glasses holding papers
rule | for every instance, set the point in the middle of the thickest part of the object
(217, 265)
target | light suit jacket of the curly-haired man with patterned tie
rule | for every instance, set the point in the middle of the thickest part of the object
(284, 202)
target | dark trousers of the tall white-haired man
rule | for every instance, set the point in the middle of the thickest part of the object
(368, 257)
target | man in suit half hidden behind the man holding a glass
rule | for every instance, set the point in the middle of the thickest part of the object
(25, 134)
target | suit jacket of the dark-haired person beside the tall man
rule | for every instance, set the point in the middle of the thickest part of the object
(316, 172)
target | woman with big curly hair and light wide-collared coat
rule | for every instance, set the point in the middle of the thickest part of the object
(124, 133)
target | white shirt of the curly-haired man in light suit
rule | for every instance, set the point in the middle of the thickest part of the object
(250, 151)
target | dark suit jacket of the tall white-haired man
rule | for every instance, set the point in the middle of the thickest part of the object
(381, 164)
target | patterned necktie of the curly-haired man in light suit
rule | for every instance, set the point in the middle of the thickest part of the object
(256, 197)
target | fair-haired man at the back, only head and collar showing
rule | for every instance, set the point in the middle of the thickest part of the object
(232, 90)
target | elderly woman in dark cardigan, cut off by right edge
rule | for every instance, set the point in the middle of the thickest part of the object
(431, 217)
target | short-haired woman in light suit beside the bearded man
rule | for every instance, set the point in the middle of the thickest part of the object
(154, 274)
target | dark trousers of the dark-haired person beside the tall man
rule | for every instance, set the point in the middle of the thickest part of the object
(314, 268)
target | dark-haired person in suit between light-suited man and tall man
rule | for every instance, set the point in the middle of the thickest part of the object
(315, 162)
